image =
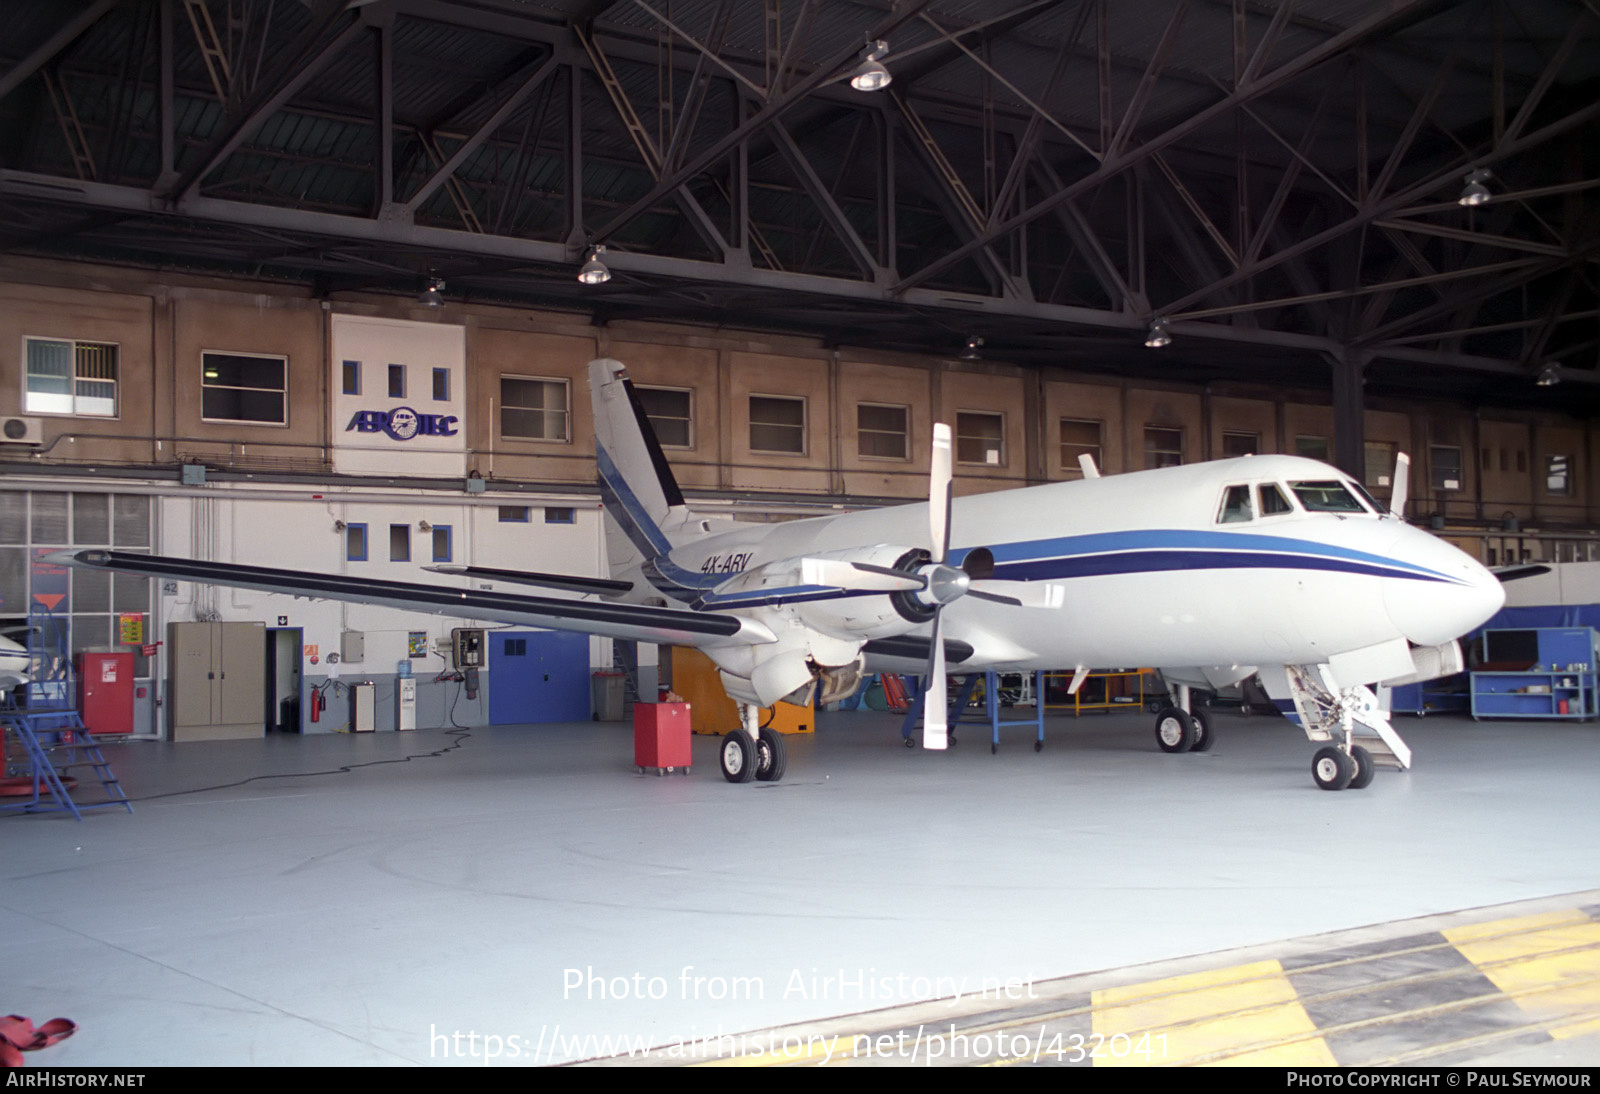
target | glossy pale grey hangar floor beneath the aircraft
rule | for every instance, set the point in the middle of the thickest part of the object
(529, 893)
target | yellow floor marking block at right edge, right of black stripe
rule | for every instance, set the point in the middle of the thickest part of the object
(1550, 964)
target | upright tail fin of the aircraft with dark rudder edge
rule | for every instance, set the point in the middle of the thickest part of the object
(636, 482)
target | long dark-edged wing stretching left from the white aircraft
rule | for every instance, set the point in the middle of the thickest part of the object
(641, 623)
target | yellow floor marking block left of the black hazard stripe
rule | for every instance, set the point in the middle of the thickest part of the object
(1212, 1013)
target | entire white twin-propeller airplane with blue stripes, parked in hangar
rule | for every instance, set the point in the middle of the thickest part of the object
(1271, 565)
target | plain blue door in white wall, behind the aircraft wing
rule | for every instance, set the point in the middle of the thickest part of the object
(538, 676)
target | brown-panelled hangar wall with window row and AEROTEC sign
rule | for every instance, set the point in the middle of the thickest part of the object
(377, 412)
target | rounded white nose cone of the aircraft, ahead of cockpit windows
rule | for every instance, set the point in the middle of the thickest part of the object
(1449, 596)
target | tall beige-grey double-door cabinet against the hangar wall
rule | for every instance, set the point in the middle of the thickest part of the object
(217, 681)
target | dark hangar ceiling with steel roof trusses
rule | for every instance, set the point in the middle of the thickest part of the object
(1276, 182)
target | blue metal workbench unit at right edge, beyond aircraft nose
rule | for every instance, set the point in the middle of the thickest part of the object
(1537, 674)
